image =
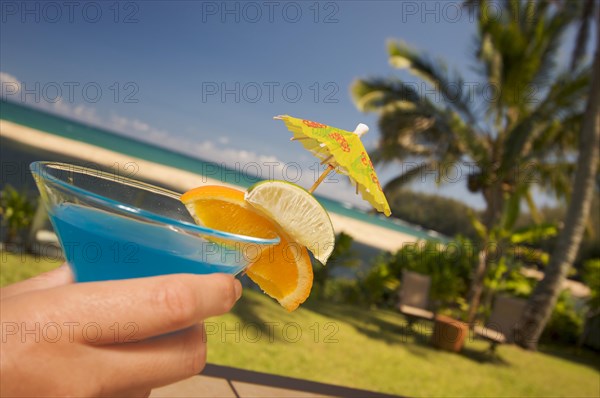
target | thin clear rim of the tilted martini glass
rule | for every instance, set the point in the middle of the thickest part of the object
(119, 207)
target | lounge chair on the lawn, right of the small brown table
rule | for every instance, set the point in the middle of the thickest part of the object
(499, 329)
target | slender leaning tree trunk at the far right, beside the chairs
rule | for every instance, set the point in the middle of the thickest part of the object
(545, 294)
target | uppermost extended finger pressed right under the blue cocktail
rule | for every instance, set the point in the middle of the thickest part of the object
(135, 309)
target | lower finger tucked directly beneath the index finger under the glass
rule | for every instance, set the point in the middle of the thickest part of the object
(155, 362)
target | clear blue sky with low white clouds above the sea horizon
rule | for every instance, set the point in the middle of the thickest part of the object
(206, 78)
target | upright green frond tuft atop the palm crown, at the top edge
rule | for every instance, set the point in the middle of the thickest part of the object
(517, 50)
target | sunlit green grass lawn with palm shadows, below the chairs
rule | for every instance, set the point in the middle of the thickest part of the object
(372, 349)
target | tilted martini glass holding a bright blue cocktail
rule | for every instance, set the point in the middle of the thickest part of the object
(112, 227)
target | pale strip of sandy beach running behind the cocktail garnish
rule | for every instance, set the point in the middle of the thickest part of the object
(371, 235)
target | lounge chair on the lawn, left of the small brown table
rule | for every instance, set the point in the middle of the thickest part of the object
(413, 297)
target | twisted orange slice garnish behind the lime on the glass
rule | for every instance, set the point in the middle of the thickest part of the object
(283, 271)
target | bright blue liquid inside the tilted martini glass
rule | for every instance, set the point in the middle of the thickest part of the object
(104, 246)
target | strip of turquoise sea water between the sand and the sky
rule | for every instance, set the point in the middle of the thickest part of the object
(70, 129)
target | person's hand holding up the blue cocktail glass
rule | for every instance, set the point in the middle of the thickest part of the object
(106, 338)
